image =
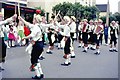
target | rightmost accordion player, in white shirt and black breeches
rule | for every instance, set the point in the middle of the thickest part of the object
(97, 31)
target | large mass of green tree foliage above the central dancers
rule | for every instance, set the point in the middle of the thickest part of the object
(77, 10)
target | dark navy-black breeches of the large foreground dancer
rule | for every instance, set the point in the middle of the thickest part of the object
(36, 52)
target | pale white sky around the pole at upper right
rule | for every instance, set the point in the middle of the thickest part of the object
(113, 4)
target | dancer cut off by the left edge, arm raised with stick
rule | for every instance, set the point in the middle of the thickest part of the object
(3, 55)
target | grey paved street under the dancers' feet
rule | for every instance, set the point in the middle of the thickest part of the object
(85, 65)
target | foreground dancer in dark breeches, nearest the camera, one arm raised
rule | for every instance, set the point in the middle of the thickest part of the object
(37, 46)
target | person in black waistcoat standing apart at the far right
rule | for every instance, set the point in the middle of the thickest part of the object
(113, 36)
